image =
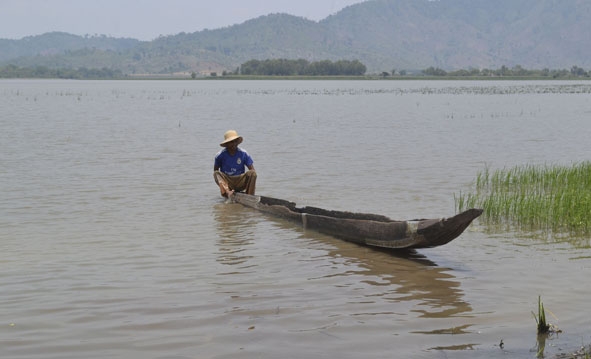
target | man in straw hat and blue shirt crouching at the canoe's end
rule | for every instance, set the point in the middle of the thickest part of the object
(229, 167)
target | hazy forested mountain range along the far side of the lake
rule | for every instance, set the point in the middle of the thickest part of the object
(382, 34)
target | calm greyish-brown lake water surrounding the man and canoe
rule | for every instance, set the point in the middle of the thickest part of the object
(115, 243)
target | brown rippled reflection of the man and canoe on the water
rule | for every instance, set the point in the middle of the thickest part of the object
(399, 276)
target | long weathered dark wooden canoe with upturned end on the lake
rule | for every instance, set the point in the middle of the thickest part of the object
(363, 228)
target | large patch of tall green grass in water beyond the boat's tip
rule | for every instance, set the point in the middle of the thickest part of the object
(556, 198)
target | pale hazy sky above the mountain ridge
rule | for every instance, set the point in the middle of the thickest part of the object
(146, 19)
